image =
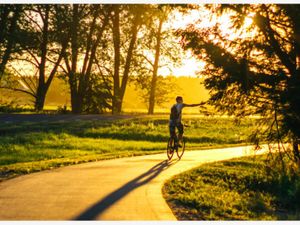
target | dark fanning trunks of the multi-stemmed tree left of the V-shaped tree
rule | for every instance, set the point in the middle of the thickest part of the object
(79, 80)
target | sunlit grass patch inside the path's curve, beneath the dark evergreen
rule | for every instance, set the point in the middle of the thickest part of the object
(239, 189)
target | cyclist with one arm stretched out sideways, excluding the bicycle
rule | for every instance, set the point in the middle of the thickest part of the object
(175, 118)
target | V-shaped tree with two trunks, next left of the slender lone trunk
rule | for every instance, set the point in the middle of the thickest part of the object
(120, 80)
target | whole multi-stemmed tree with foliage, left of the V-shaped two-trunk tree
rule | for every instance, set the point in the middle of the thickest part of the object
(87, 25)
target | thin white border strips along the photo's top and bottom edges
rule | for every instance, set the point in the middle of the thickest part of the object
(148, 2)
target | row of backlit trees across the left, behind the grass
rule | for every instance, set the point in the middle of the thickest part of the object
(96, 48)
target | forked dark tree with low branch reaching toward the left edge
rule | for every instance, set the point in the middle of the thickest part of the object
(40, 50)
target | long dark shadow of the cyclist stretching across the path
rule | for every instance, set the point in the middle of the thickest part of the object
(99, 207)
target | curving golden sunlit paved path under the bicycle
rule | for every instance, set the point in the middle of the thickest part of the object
(120, 189)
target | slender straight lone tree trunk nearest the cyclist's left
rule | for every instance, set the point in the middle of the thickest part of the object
(155, 69)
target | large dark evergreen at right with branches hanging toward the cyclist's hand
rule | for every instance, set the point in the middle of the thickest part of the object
(258, 72)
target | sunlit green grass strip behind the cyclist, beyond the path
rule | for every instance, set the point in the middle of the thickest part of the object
(32, 146)
